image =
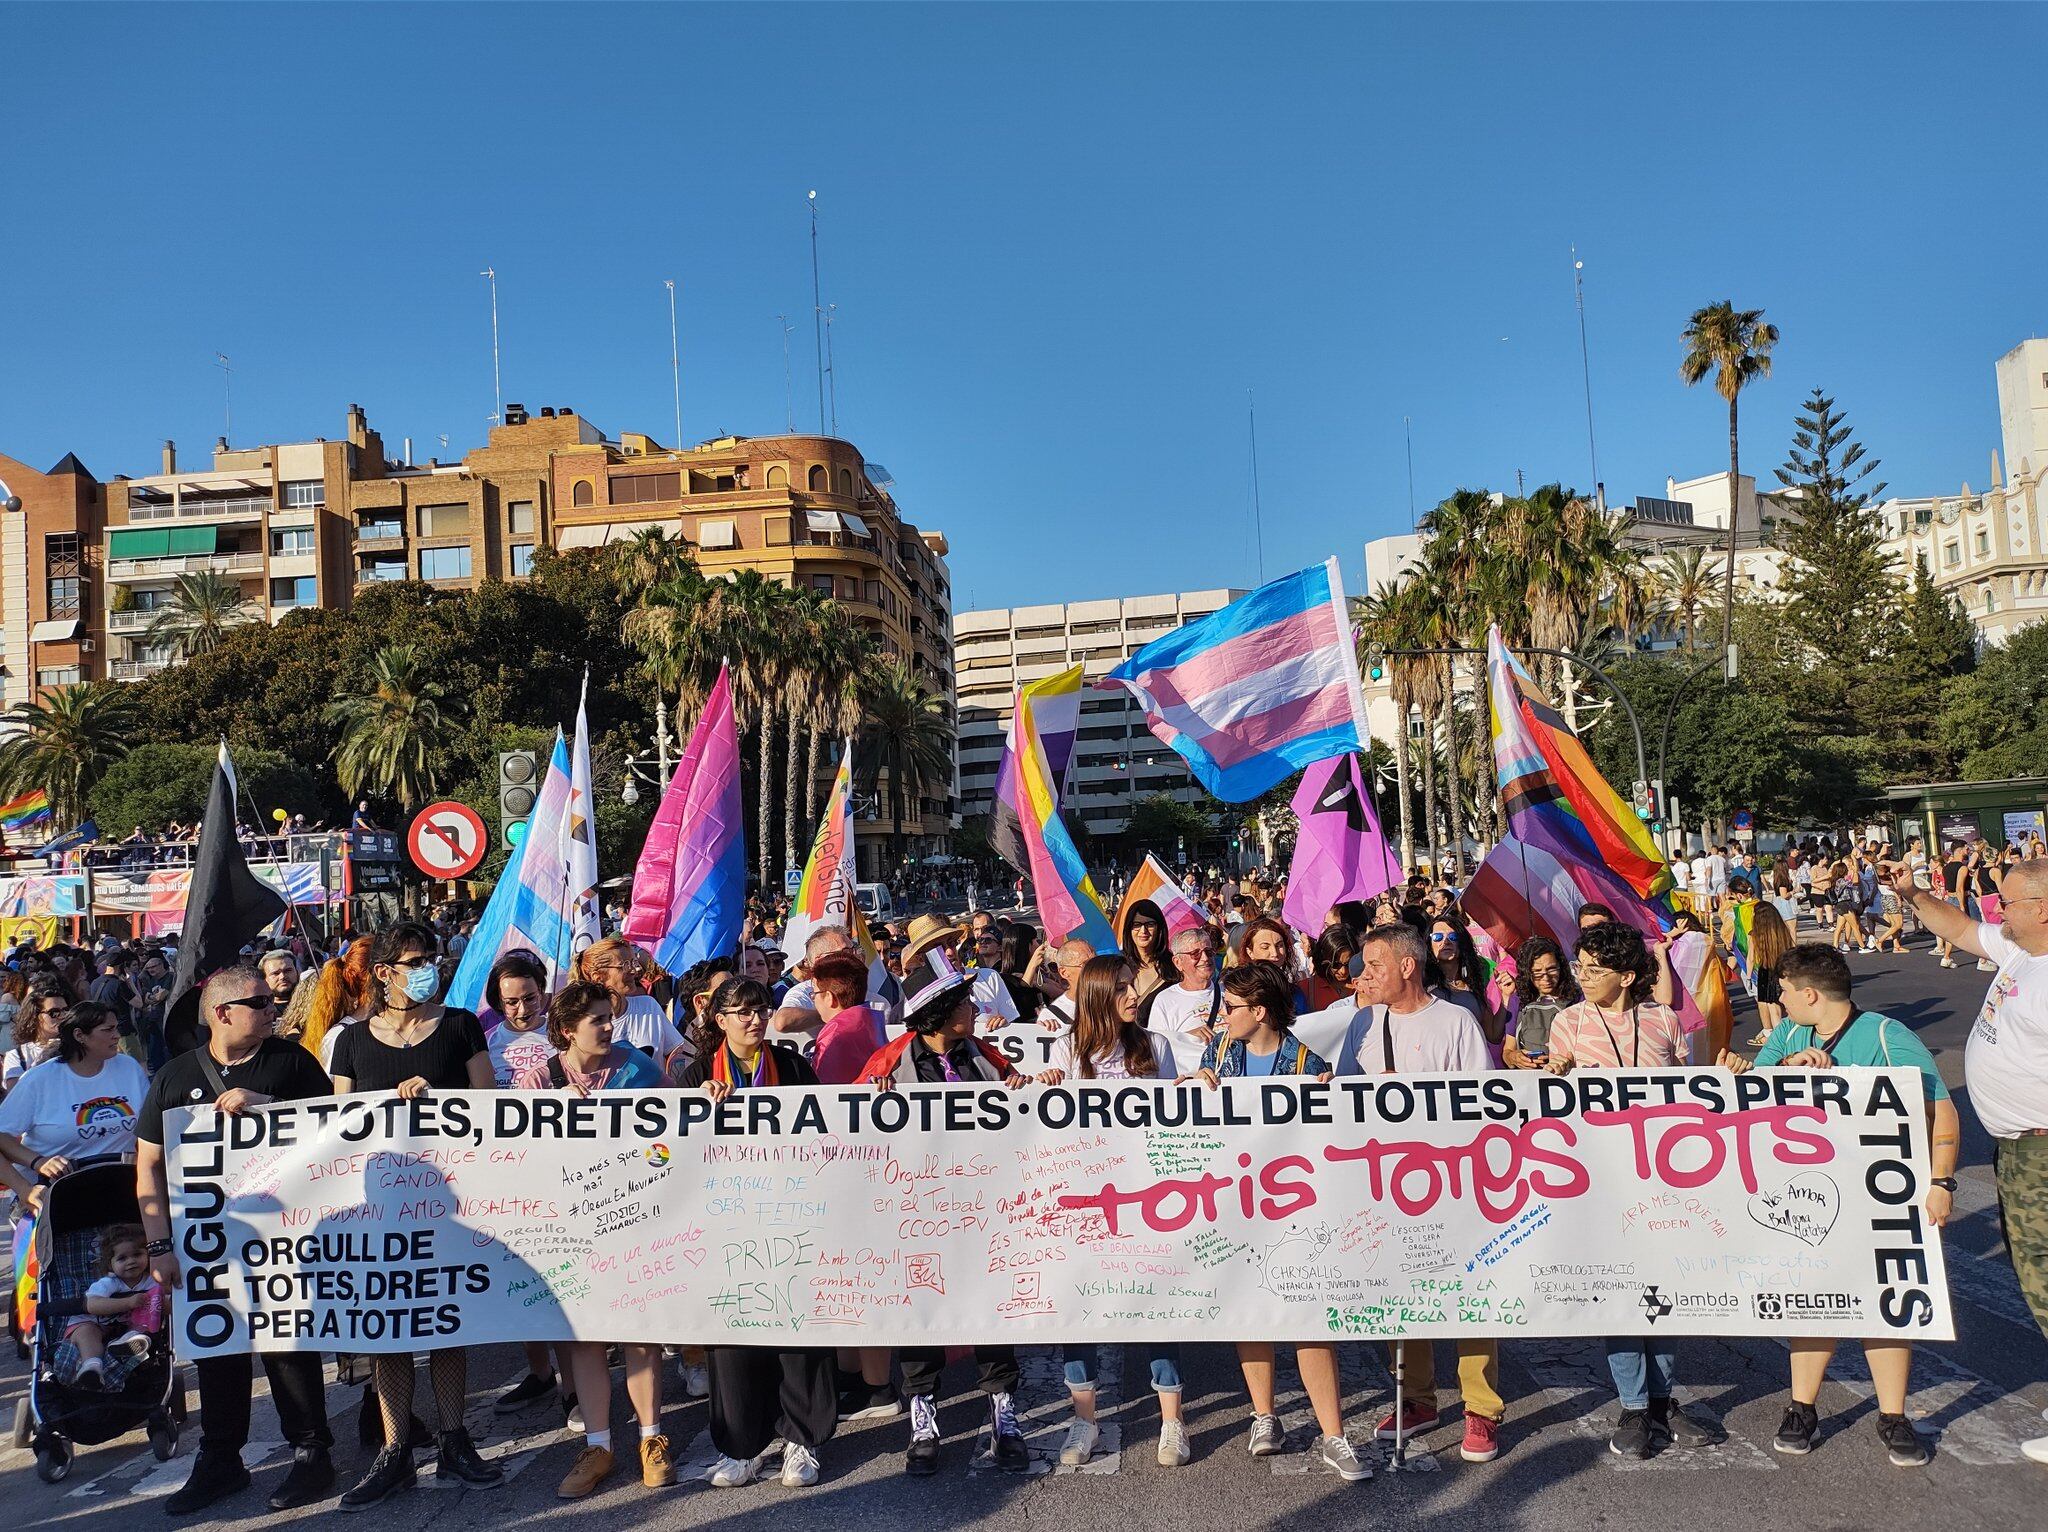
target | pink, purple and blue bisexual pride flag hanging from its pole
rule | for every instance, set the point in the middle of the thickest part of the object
(691, 882)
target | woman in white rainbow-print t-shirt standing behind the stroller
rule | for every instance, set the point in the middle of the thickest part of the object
(77, 1105)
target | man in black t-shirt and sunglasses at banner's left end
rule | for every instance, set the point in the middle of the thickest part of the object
(241, 1068)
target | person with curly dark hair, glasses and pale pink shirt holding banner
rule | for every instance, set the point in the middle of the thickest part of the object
(1619, 1027)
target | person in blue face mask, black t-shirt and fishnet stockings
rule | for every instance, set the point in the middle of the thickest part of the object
(415, 1046)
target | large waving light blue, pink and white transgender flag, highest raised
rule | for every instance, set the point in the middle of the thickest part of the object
(1254, 693)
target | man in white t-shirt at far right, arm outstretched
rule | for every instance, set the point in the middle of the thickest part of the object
(2006, 1062)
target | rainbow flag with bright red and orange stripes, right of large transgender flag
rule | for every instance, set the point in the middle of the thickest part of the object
(1553, 794)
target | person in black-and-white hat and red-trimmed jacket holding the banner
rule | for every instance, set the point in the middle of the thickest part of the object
(941, 1050)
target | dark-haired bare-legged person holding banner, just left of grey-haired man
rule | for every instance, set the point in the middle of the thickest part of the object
(1256, 1044)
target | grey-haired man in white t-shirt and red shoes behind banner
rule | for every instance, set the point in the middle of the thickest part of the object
(1402, 1029)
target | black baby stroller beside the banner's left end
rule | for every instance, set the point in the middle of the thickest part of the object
(54, 1418)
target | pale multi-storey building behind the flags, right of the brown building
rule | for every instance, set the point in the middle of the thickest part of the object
(1117, 761)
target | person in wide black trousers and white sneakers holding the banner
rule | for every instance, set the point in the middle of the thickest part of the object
(761, 1394)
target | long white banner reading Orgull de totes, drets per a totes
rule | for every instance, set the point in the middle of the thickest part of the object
(1617, 1201)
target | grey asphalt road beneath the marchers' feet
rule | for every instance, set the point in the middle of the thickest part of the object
(1975, 1400)
